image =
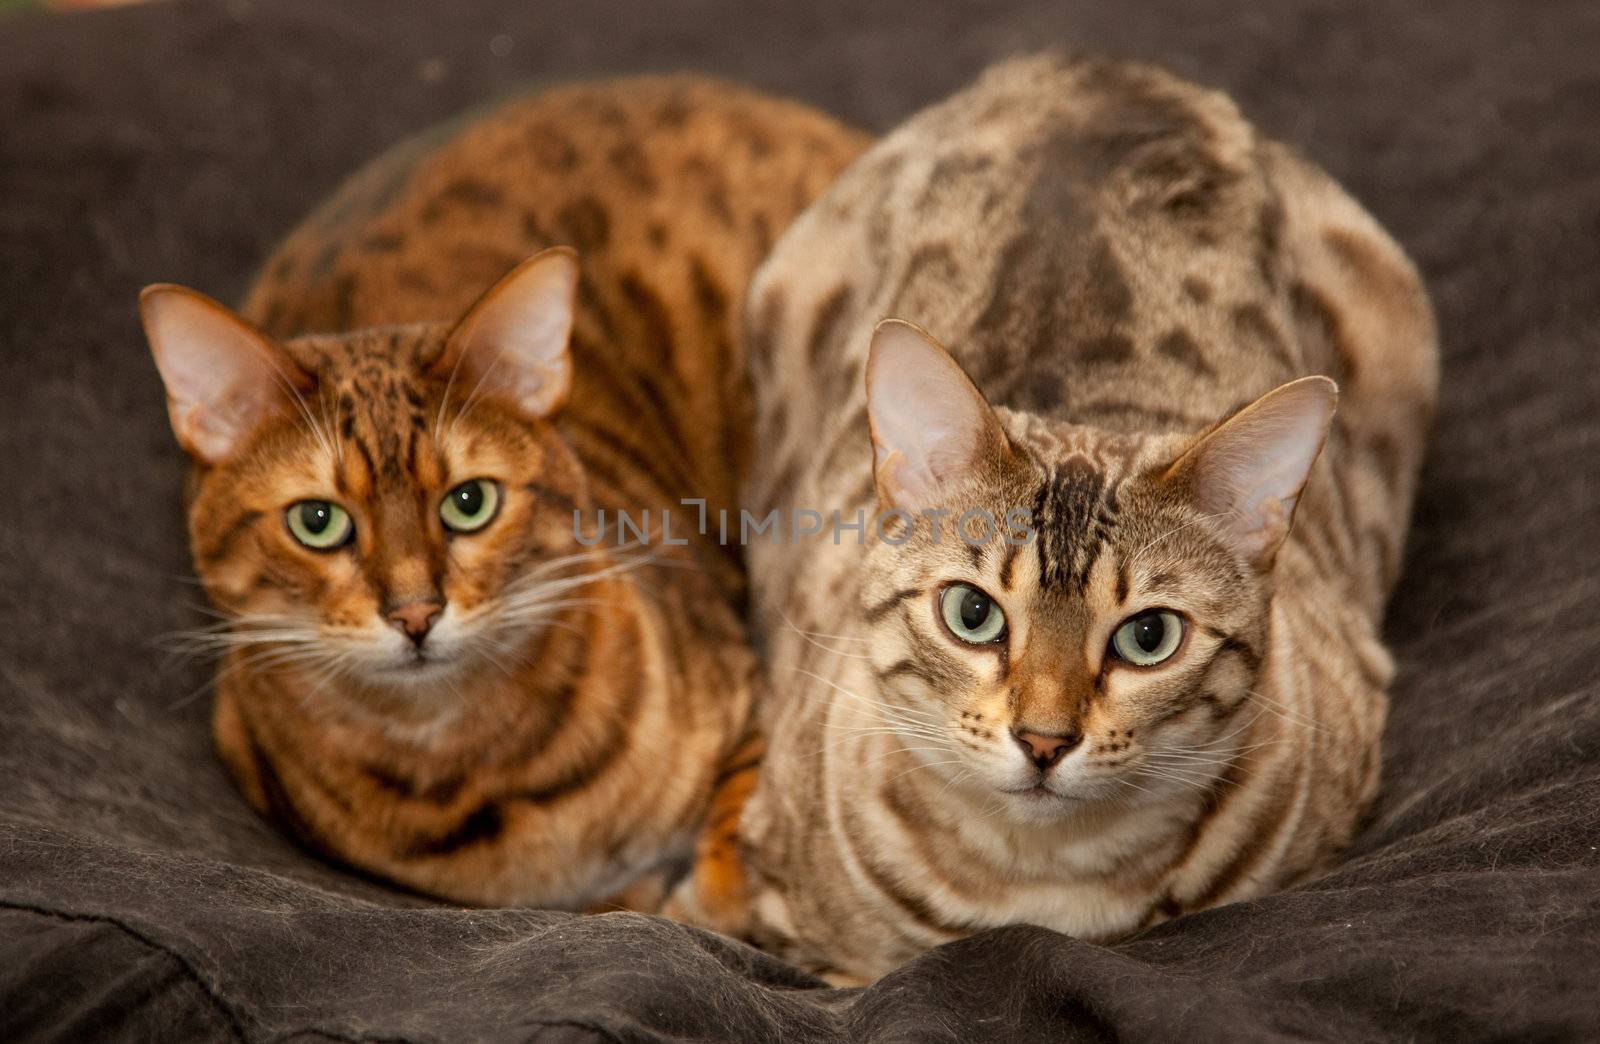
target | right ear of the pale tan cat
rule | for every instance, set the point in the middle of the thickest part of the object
(1252, 468)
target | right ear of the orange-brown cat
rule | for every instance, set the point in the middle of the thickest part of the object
(514, 342)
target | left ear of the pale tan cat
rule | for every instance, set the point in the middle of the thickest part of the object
(930, 425)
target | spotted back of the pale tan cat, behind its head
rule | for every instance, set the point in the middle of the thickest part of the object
(1106, 244)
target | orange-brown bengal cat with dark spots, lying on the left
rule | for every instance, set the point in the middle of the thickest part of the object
(431, 673)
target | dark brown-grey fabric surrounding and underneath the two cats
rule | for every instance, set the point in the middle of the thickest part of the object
(175, 142)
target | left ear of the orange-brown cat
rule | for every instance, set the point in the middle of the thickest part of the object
(223, 377)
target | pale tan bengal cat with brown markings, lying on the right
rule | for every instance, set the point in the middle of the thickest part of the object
(1081, 672)
